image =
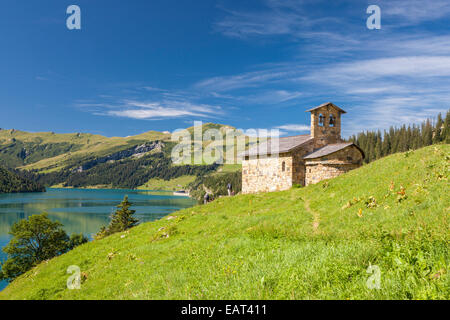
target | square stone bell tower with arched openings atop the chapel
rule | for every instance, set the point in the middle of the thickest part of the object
(326, 124)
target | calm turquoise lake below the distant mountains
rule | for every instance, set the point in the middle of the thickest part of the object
(83, 210)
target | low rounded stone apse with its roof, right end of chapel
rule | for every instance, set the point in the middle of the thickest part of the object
(333, 165)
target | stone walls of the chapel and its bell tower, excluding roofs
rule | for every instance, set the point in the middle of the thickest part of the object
(266, 174)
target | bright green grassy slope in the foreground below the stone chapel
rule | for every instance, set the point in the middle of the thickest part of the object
(307, 243)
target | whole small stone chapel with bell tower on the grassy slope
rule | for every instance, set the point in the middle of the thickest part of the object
(302, 159)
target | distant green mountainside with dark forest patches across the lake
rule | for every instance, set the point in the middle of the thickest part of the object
(86, 160)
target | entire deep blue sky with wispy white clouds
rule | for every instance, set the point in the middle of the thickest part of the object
(159, 65)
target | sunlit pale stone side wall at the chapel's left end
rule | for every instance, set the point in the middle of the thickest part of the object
(266, 174)
